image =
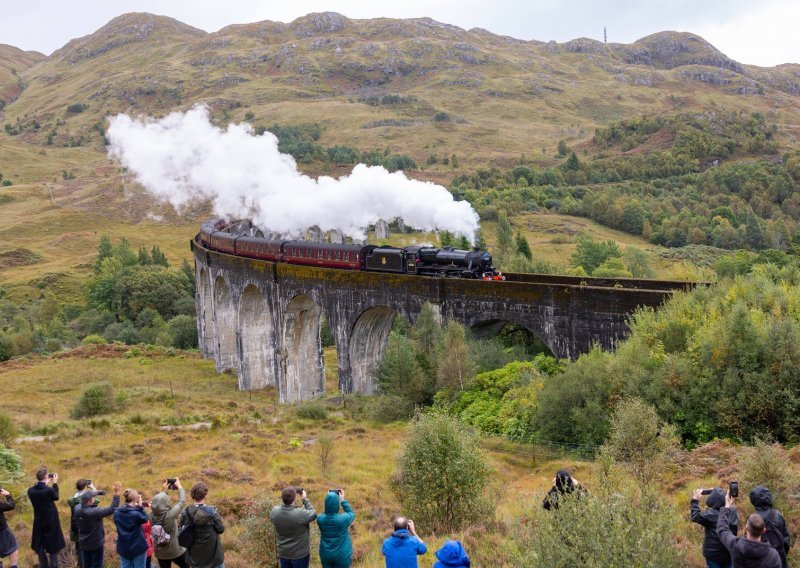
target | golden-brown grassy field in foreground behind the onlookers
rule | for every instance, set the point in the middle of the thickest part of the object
(182, 418)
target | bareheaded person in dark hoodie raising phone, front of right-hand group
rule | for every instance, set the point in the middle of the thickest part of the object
(747, 551)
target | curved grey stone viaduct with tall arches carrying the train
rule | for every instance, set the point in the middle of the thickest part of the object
(262, 319)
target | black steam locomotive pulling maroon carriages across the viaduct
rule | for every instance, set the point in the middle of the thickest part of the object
(218, 235)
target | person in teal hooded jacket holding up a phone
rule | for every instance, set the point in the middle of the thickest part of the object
(335, 548)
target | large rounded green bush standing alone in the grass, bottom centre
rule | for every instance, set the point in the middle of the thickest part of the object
(442, 475)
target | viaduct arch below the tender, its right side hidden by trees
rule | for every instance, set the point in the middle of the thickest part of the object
(368, 340)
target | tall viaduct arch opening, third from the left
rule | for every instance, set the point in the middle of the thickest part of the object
(257, 366)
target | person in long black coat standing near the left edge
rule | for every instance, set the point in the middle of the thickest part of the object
(47, 540)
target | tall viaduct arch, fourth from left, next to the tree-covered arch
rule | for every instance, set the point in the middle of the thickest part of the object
(301, 357)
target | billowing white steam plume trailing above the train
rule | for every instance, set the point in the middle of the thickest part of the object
(183, 158)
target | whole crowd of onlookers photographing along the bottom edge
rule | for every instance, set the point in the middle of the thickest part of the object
(172, 533)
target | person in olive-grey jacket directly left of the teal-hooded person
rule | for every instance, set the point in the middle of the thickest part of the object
(291, 528)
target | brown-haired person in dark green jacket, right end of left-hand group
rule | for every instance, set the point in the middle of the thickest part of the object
(206, 552)
